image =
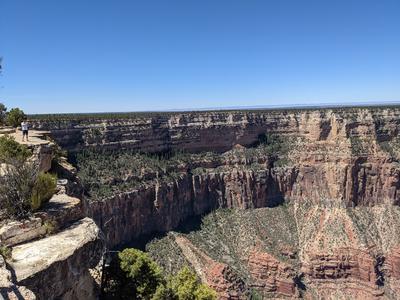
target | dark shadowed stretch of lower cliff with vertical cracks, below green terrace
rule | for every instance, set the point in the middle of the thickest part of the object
(163, 207)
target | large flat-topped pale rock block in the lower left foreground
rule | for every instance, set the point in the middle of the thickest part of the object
(56, 267)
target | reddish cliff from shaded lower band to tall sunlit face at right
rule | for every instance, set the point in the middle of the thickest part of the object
(324, 166)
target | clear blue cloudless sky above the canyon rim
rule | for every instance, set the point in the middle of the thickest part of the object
(81, 55)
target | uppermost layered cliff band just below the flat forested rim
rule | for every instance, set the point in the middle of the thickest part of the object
(213, 131)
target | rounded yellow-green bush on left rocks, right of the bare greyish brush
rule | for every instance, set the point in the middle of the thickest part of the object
(43, 189)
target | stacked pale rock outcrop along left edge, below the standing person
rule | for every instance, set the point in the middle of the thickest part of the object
(49, 255)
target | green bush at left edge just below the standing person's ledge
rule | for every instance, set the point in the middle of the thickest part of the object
(12, 150)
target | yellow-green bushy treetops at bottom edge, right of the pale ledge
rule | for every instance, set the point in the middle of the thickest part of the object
(137, 276)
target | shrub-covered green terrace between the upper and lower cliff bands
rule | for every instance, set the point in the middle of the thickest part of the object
(104, 173)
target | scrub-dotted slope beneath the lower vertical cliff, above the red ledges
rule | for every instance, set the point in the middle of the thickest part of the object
(282, 238)
